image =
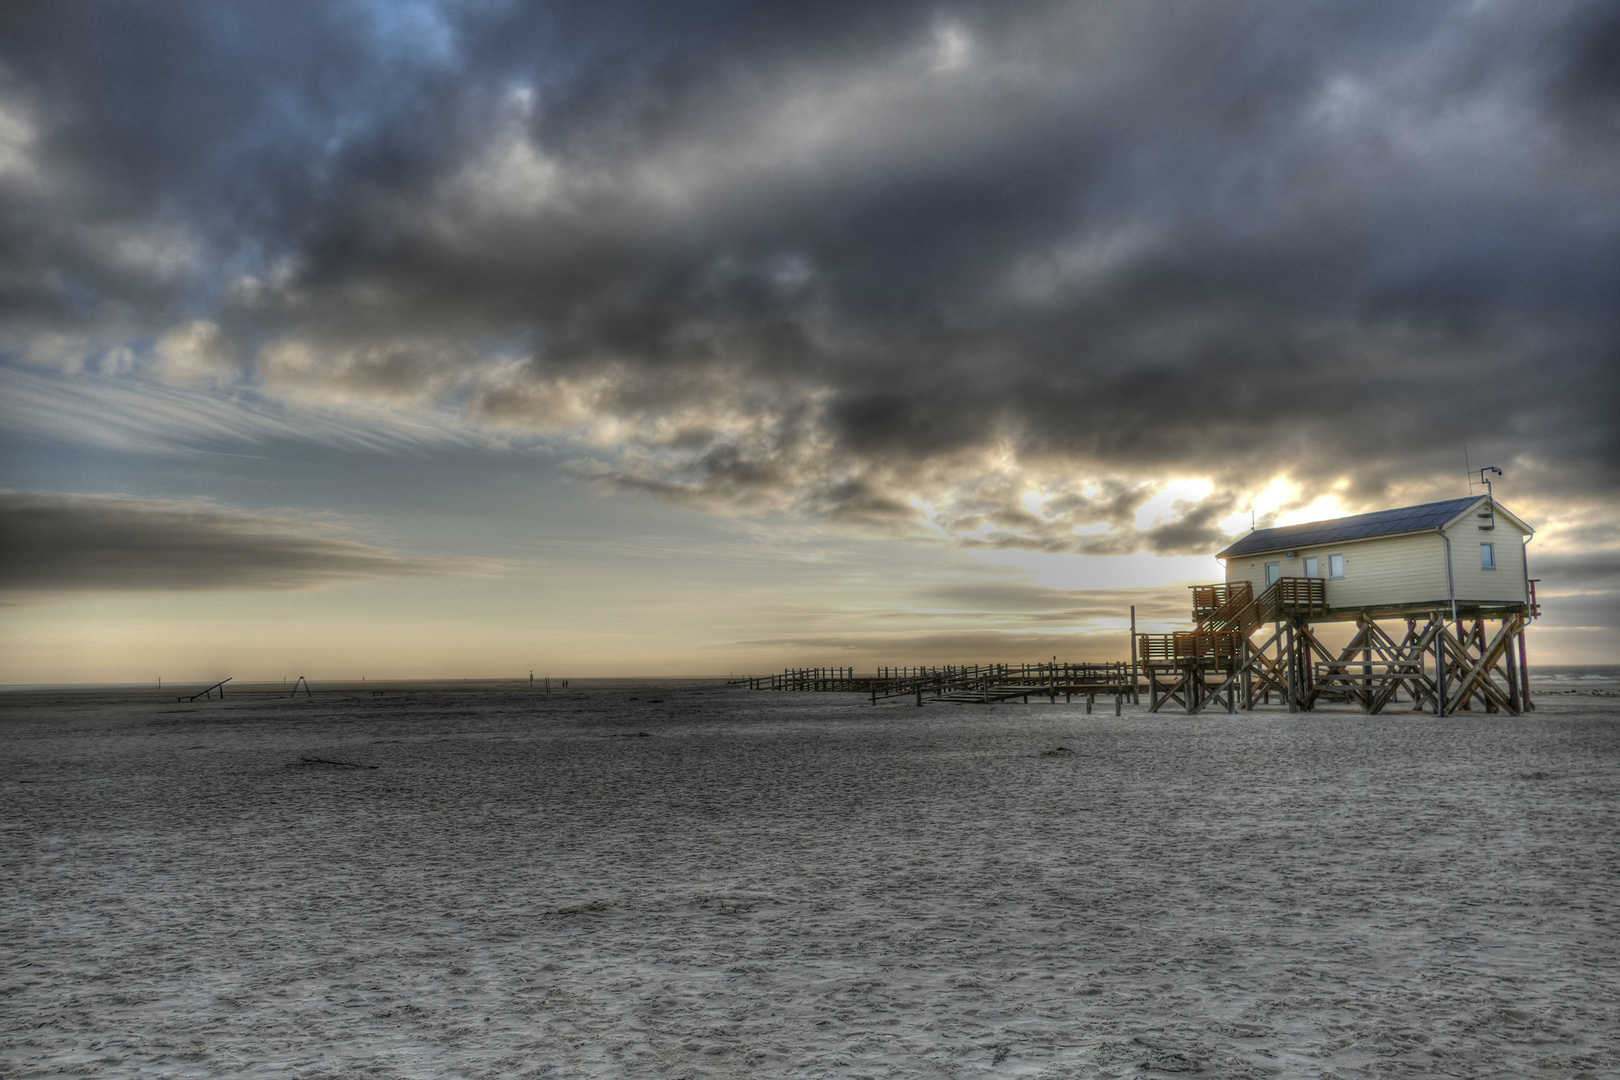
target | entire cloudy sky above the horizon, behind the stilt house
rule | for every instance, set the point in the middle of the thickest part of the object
(607, 338)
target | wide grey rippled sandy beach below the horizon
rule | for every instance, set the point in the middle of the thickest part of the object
(684, 882)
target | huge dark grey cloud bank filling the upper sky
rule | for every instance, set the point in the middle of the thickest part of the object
(902, 270)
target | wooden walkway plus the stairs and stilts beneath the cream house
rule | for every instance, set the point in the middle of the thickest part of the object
(1248, 650)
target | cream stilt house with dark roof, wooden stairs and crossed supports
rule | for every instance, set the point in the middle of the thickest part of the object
(1454, 572)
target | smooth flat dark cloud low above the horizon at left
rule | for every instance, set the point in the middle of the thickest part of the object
(72, 543)
